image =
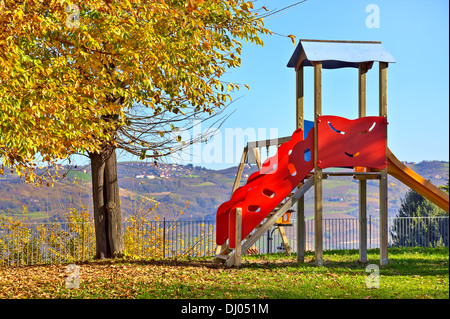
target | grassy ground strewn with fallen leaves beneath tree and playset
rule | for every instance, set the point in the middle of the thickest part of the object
(416, 273)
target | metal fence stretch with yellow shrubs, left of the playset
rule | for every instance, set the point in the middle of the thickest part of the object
(42, 243)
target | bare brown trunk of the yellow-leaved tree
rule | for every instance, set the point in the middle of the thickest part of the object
(107, 214)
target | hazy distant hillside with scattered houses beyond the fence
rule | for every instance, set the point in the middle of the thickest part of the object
(171, 186)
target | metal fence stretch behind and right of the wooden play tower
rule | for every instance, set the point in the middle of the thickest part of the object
(343, 233)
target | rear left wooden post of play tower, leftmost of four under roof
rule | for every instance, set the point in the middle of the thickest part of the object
(300, 123)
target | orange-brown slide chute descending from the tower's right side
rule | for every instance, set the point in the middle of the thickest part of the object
(414, 181)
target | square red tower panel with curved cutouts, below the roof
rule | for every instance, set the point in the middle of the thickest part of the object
(349, 143)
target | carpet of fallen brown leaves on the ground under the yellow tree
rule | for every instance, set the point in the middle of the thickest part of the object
(104, 280)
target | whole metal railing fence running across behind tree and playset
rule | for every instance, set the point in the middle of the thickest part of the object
(27, 244)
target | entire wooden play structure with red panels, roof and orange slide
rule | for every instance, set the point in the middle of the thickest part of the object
(304, 160)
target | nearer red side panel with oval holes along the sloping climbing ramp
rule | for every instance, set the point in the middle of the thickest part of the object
(291, 169)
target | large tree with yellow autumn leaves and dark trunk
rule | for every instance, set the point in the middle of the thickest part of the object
(95, 76)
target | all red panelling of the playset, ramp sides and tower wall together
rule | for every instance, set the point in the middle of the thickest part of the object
(341, 143)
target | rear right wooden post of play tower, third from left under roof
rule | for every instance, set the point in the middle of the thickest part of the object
(362, 183)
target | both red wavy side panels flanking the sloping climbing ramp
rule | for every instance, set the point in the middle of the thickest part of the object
(265, 189)
